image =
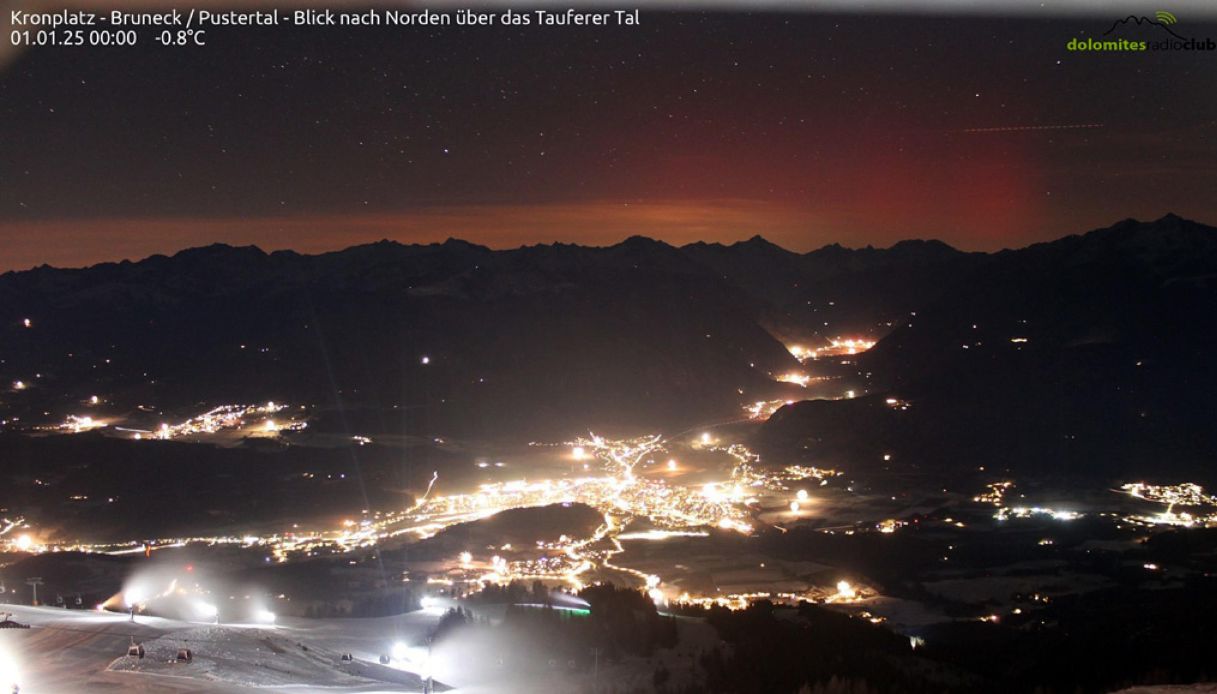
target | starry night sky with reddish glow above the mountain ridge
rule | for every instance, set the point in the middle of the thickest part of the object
(804, 128)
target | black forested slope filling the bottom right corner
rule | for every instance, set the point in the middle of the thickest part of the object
(1084, 645)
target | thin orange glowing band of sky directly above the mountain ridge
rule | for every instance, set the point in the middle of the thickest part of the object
(78, 243)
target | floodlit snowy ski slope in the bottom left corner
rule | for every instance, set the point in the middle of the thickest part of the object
(69, 652)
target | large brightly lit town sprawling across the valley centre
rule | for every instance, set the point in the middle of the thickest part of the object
(626, 483)
